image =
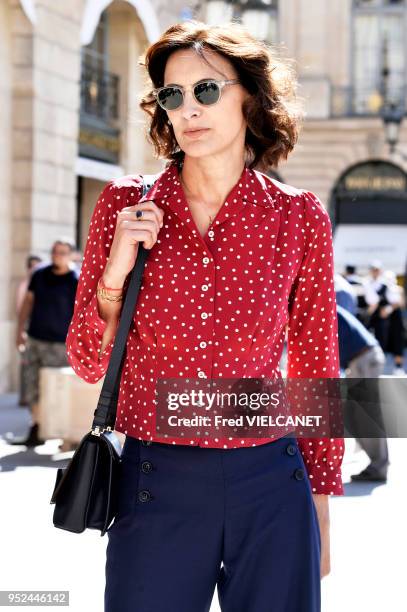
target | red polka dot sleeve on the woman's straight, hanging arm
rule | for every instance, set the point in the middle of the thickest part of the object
(313, 339)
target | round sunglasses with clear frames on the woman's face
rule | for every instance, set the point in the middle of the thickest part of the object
(206, 92)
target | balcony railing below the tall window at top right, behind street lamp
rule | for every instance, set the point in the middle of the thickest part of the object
(351, 101)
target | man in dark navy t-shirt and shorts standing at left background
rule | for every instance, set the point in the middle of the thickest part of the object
(48, 306)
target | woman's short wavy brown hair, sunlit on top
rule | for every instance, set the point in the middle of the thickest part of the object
(273, 111)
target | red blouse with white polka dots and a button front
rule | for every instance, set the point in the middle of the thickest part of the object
(218, 306)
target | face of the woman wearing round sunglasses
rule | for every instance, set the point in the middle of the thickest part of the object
(224, 119)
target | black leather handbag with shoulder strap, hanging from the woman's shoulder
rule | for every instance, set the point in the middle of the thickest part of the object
(85, 491)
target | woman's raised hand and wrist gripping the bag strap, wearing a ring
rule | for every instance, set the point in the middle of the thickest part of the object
(129, 231)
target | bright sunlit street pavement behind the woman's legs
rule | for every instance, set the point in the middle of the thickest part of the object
(368, 531)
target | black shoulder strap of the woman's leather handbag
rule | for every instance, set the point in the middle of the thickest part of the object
(105, 413)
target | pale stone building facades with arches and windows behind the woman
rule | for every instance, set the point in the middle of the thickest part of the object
(70, 120)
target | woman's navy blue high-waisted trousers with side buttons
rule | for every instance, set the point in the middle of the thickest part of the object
(192, 519)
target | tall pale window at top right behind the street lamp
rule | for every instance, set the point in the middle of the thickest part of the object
(379, 41)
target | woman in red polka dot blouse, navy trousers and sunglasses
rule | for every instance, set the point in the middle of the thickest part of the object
(234, 257)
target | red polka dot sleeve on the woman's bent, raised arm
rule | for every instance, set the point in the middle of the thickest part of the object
(86, 328)
